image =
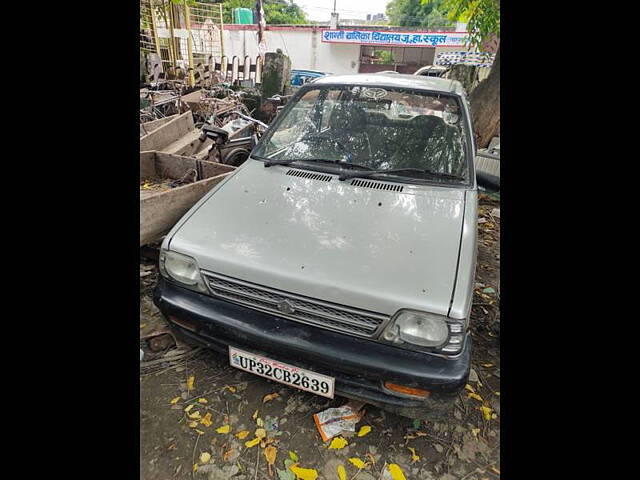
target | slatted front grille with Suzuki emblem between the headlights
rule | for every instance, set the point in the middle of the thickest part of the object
(306, 310)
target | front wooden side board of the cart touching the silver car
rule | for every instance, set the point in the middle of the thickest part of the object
(159, 212)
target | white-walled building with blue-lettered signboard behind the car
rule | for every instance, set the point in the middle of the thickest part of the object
(346, 49)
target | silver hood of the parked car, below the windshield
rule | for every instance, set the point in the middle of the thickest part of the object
(375, 249)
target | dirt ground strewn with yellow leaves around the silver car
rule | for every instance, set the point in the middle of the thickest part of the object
(465, 447)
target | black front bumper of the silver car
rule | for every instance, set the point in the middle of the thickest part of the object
(358, 365)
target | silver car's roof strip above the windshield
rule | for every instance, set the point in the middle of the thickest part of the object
(399, 80)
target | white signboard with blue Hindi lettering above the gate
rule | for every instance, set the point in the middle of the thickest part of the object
(396, 39)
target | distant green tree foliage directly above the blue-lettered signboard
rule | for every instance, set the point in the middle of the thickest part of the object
(431, 14)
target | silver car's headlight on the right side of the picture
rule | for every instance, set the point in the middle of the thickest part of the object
(417, 328)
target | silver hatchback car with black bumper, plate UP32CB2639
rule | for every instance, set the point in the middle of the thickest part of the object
(339, 258)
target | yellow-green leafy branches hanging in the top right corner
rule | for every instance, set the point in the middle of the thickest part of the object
(482, 16)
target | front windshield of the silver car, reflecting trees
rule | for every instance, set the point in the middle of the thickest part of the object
(378, 128)
